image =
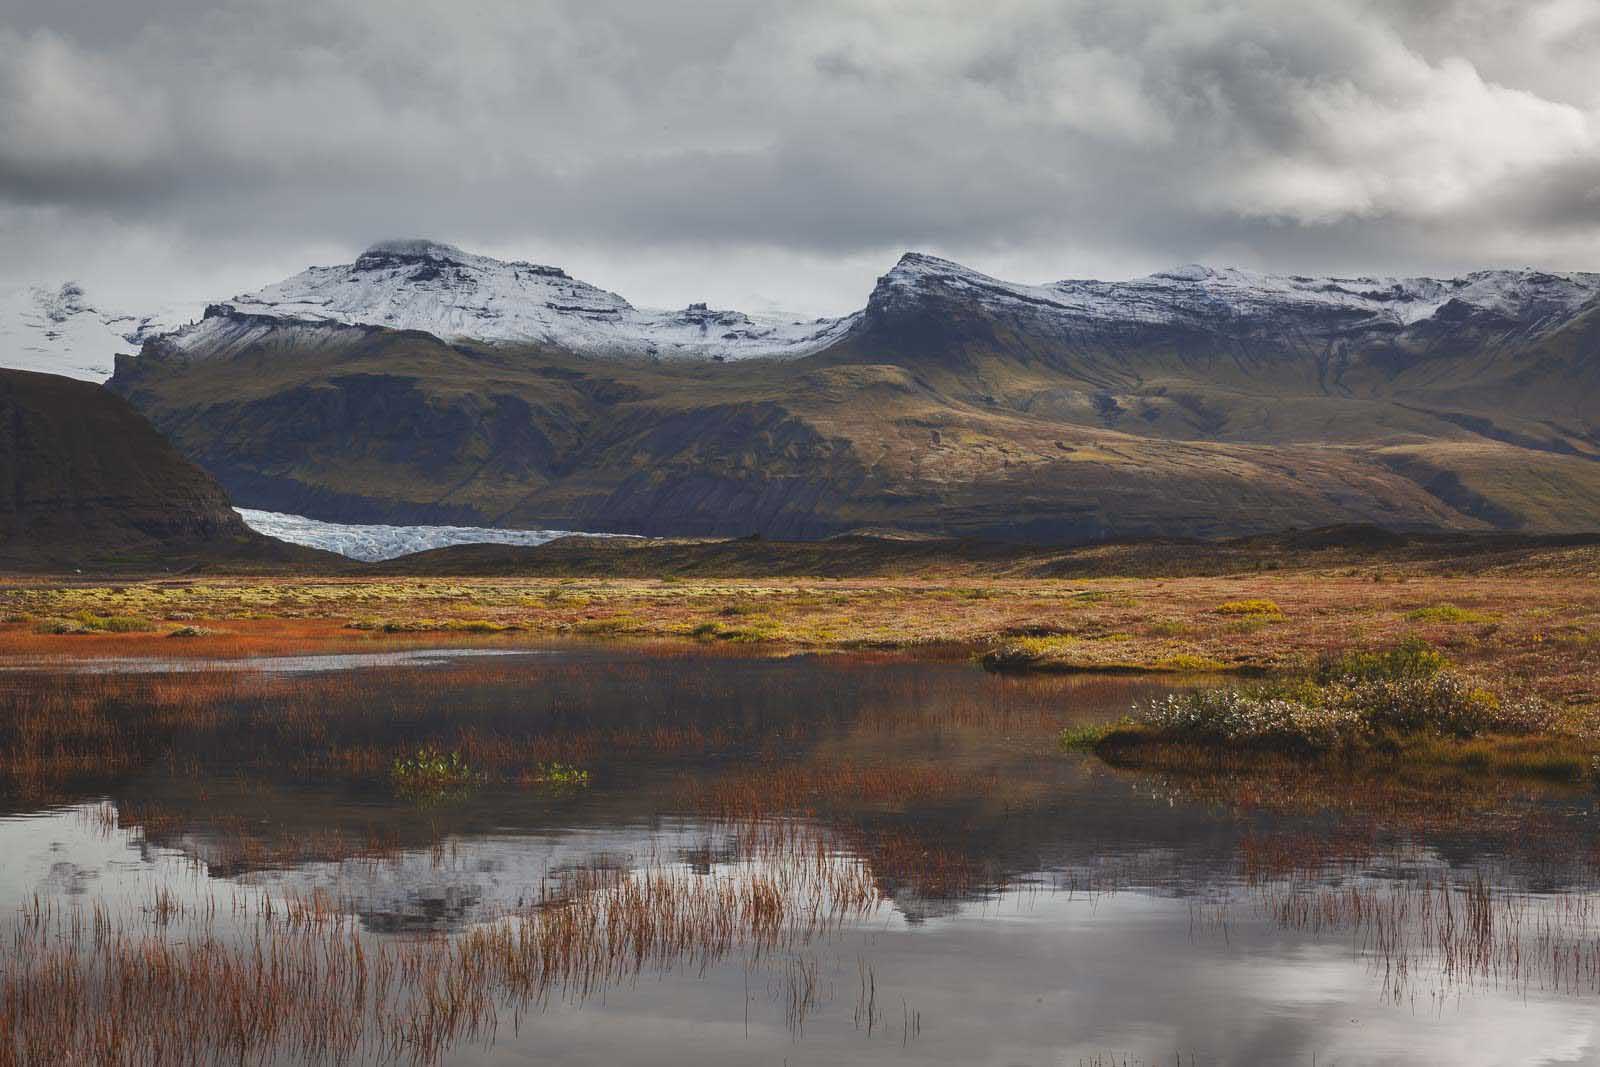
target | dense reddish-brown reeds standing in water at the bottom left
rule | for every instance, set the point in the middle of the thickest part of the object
(295, 978)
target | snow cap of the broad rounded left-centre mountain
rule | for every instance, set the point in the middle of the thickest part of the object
(460, 297)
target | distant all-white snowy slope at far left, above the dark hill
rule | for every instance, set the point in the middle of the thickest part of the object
(58, 330)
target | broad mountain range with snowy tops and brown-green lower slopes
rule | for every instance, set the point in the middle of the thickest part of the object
(428, 385)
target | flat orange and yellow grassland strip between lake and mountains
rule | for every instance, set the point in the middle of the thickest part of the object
(1543, 615)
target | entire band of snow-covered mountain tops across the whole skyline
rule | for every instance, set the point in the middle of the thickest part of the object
(466, 298)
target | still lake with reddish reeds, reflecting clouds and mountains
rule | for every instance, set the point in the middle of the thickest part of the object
(662, 858)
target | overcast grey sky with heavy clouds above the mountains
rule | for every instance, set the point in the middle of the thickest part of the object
(769, 154)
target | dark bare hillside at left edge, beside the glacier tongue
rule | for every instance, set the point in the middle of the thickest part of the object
(84, 476)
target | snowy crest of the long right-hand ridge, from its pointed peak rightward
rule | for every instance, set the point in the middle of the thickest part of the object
(1204, 297)
